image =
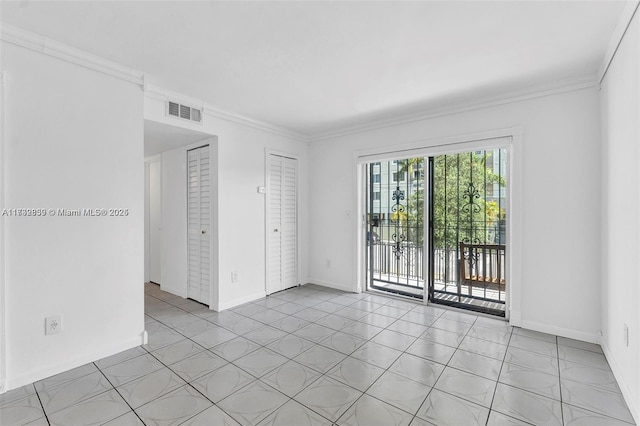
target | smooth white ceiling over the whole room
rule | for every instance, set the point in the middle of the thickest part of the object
(316, 67)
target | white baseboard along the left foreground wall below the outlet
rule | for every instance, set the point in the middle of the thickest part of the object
(68, 364)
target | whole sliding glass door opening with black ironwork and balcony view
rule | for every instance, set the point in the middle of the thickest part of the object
(436, 228)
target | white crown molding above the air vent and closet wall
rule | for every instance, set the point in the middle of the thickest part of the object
(159, 93)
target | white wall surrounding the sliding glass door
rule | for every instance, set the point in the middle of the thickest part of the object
(560, 203)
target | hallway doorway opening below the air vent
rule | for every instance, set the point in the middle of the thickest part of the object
(180, 213)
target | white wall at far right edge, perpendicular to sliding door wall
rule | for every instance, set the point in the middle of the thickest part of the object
(620, 99)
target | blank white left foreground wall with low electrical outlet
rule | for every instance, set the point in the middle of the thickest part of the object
(73, 139)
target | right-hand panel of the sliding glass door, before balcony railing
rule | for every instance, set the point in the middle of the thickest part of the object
(475, 234)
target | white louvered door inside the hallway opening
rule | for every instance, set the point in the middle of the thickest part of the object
(199, 221)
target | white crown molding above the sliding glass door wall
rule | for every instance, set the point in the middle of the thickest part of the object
(461, 107)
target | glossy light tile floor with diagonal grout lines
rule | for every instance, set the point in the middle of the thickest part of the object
(316, 356)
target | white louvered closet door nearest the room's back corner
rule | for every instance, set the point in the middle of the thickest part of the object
(282, 230)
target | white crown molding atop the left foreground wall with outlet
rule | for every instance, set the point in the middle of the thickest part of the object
(41, 44)
